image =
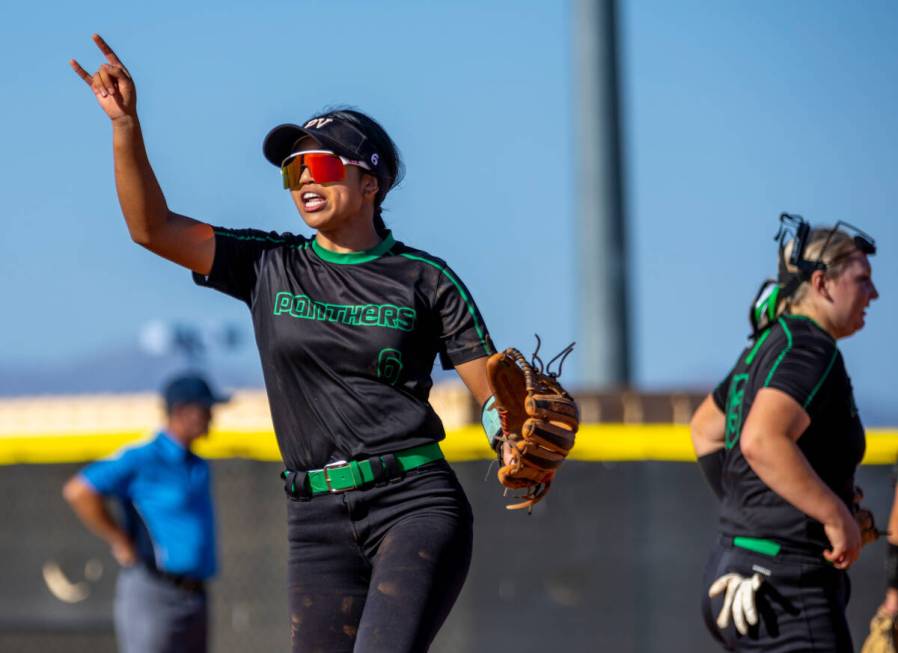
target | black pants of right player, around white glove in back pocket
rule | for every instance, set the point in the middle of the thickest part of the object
(801, 604)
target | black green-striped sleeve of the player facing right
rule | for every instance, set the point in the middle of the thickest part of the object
(801, 367)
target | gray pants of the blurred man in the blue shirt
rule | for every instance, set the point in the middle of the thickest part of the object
(154, 616)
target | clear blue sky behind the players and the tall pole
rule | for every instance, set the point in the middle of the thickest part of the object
(733, 112)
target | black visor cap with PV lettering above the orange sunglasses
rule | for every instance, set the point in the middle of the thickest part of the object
(333, 131)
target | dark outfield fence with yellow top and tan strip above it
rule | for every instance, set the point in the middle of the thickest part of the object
(611, 560)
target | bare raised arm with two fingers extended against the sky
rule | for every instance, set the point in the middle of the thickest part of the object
(151, 224)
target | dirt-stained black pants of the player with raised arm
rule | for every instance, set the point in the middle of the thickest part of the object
(377, 570)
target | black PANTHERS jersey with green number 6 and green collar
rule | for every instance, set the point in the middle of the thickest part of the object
(348, 341)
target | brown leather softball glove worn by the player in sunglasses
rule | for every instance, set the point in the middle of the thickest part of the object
(539, 421)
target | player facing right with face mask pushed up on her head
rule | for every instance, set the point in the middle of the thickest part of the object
(779, 439)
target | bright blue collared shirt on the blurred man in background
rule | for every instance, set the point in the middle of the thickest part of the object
(166, 494)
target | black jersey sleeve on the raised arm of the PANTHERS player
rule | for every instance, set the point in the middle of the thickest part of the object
(239, 255)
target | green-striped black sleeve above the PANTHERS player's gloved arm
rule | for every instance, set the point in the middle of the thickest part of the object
(463, 334)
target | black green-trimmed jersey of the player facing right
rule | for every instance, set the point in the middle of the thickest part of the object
(796, 356)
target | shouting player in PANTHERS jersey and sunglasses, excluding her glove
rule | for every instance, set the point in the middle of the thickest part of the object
(348, 325)
